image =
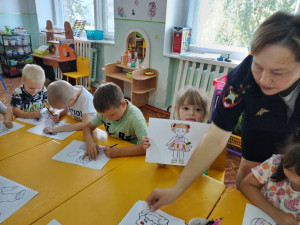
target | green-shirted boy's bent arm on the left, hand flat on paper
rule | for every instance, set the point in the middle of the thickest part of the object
(92, 149)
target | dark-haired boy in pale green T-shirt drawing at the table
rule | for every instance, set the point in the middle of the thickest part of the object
(121, 119)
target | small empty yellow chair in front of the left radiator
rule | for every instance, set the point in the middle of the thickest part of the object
(83, 71)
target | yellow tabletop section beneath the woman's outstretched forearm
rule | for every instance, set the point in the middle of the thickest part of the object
(110, 198)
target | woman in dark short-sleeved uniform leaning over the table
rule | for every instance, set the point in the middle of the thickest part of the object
(265, 88)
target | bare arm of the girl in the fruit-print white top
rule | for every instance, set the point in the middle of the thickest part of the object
(250, 186)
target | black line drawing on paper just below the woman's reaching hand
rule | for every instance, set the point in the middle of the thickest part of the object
(151, 218)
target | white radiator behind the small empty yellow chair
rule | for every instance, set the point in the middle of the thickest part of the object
(82, 48)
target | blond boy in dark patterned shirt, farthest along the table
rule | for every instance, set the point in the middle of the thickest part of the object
(28, 99)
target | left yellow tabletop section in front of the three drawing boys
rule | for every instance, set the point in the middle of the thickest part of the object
(55, 181)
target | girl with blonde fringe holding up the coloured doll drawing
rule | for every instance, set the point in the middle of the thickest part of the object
(191, 105)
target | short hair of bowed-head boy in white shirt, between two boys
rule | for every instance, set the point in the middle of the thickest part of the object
(59, 92)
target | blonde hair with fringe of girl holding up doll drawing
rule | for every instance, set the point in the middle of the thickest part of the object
(194, 97)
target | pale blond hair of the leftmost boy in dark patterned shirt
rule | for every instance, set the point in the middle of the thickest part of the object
(33, 73)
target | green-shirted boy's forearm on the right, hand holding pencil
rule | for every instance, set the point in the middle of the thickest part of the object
(126, 151)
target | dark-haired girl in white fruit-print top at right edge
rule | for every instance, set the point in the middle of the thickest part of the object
(274, 186)
